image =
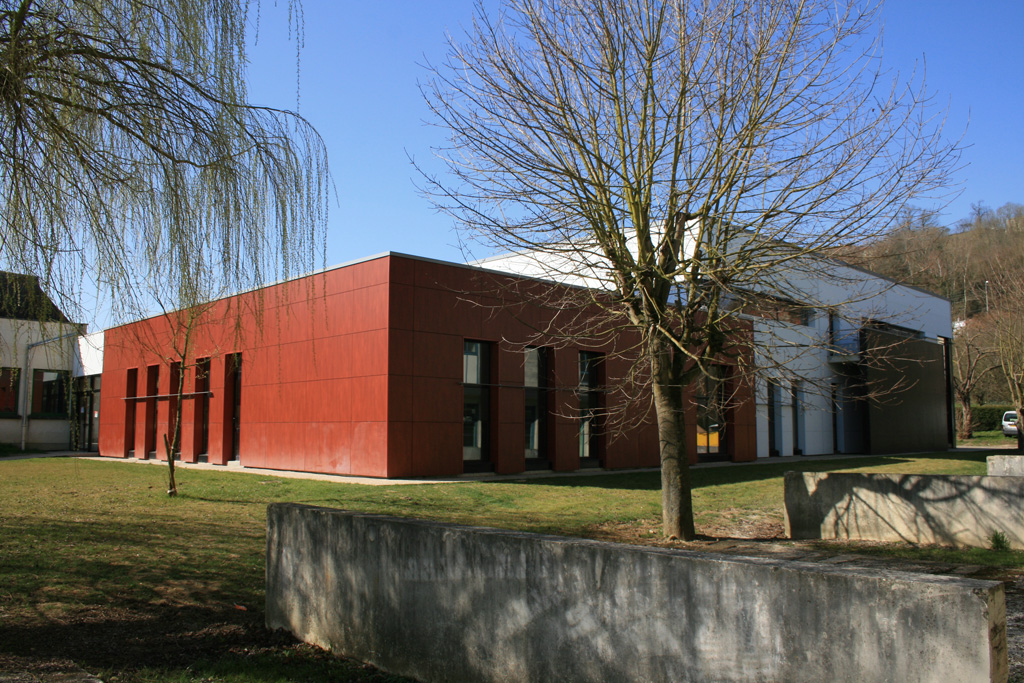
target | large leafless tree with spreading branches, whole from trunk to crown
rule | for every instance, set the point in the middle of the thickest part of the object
(679, 153)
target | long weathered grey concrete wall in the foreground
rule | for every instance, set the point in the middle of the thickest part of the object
(442, 603)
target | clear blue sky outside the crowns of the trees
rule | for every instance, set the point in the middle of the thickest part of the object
(362, 62)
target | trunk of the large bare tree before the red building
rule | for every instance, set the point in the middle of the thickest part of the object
(677, 503)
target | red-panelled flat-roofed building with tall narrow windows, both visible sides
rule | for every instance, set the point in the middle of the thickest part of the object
(392, 367)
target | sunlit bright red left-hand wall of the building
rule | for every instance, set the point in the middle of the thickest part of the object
(313, 390)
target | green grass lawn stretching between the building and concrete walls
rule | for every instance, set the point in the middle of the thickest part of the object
(100, 568)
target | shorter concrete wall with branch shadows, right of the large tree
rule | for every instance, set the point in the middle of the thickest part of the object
(948, 510)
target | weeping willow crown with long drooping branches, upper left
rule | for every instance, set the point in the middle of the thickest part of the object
(127, 144)
